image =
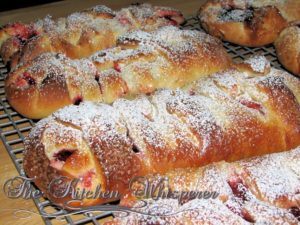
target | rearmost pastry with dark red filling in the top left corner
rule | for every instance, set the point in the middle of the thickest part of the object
(15, 36)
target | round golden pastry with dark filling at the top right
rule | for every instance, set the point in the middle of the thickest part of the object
(248, 23)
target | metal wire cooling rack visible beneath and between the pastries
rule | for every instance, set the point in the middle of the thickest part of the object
(14, 127)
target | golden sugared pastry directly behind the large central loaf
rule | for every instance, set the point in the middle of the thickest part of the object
(141, 63)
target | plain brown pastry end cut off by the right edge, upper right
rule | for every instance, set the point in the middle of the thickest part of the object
(288, 49)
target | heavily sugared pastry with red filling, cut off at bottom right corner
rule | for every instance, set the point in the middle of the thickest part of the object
(262, 190)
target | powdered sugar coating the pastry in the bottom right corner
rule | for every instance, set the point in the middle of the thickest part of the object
(242, 205)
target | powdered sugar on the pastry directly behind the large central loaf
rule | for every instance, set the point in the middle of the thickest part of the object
(142, 67)
